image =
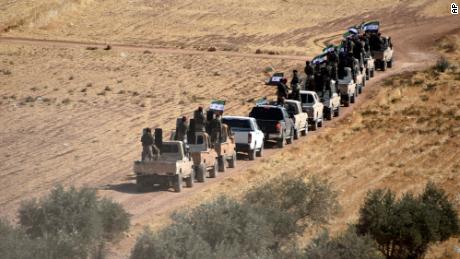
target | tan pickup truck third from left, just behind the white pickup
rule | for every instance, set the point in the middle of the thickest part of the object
(226, 149)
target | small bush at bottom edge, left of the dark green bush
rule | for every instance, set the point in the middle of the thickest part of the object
(346, 245)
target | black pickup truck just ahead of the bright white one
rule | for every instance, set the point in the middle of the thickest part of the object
(275, 123)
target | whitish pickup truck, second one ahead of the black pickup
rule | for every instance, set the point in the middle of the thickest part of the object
(312, 105)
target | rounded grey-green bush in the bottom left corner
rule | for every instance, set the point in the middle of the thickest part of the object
(72, 223)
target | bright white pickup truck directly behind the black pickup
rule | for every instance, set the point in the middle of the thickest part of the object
(248, 137)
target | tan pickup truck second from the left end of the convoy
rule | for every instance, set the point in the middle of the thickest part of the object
(203, 156)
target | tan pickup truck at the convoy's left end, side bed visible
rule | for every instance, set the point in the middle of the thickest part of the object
(171, 168)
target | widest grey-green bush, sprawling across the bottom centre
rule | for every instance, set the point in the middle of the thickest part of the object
(254, 227)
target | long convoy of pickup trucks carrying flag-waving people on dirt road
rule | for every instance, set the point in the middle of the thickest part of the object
(210, 144)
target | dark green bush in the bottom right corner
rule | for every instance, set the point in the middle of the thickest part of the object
(406, 227)
